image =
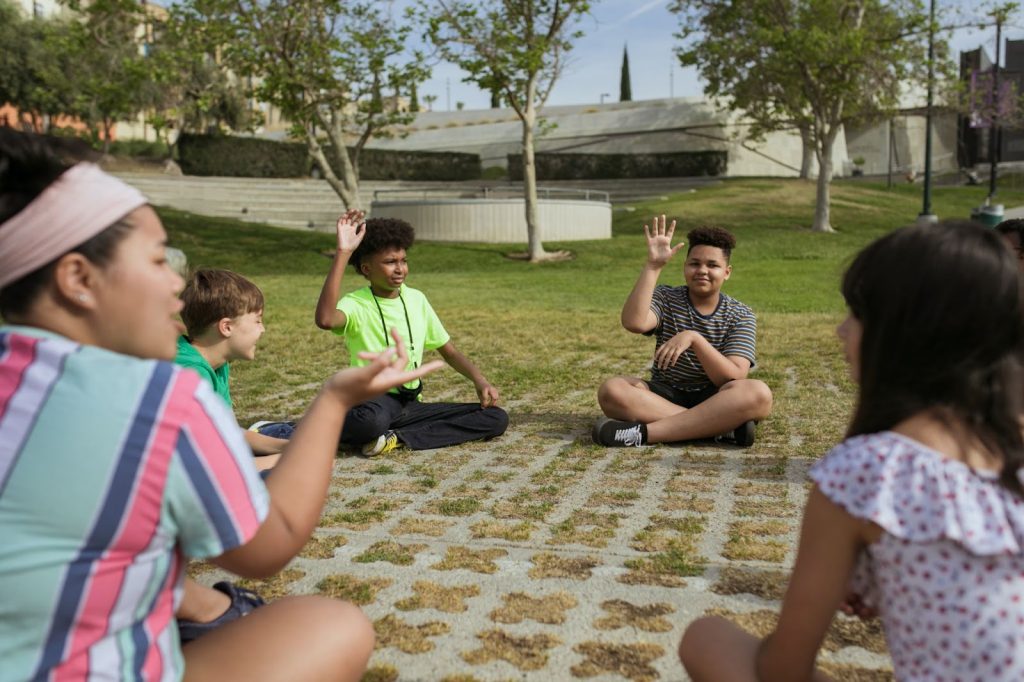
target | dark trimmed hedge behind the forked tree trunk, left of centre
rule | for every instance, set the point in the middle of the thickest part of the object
(250, 157)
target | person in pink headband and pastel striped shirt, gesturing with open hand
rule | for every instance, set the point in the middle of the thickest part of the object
(116, 465)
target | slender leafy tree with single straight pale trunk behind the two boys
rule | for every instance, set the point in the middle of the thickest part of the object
(518, 48)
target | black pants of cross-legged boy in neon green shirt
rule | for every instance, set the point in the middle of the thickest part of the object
(422, 425)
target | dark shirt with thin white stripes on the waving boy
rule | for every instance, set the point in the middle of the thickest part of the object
(732, 329)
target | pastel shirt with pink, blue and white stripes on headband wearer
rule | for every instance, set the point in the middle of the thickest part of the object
(113, 471)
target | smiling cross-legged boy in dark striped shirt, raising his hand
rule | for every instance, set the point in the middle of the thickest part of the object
(699, 387)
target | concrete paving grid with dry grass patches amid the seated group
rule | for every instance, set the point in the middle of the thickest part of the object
(542, 557)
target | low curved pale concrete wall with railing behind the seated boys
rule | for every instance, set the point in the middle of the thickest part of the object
(498, 221)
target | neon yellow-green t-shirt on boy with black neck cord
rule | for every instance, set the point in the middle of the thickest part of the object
(364, 331)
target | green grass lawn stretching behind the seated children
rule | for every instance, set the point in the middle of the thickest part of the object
(546, 335)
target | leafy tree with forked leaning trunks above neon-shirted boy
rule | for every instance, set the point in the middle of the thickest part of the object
(323, 64)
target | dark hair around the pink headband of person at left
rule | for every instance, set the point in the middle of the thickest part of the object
(29, 164)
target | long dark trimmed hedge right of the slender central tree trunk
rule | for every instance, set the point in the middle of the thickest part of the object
(552, 166)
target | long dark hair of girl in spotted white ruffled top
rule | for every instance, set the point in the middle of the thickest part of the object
(941, 308)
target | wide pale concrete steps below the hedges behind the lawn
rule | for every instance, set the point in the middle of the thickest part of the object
(310, 204)
